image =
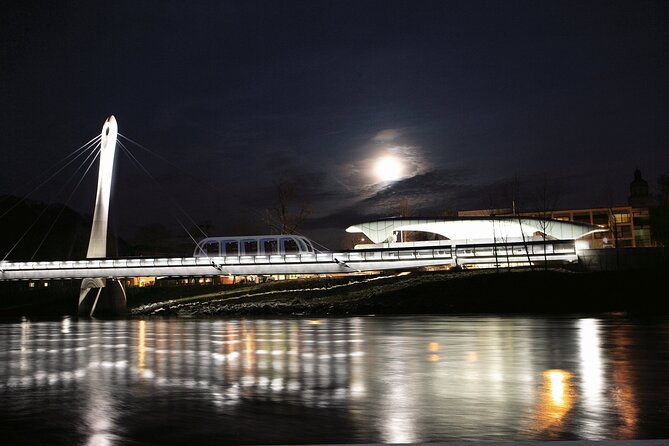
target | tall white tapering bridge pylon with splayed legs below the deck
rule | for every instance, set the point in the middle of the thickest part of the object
(95, 288)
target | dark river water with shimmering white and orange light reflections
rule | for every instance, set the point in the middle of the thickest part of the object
(334, 380)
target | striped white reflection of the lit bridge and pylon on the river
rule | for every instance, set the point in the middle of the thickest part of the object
(321, 366)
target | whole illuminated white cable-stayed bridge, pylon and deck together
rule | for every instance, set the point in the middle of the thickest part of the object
(101, 286)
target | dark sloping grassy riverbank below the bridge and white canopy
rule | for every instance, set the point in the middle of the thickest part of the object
(555, 291)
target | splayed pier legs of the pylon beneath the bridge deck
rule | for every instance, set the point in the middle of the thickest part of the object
(102, 298)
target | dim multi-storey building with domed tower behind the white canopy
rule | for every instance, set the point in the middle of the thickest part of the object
(629, 226)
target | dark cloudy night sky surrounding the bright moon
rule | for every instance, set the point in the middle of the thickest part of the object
(482, 102)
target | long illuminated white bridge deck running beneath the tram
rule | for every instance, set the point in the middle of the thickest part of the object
(319, 263)
